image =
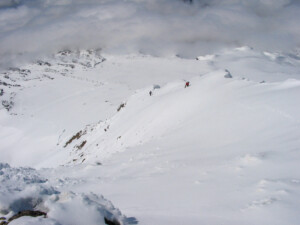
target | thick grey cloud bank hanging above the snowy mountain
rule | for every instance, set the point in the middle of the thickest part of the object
(30, 28)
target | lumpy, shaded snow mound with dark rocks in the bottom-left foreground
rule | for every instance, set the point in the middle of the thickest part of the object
(24, 189)
